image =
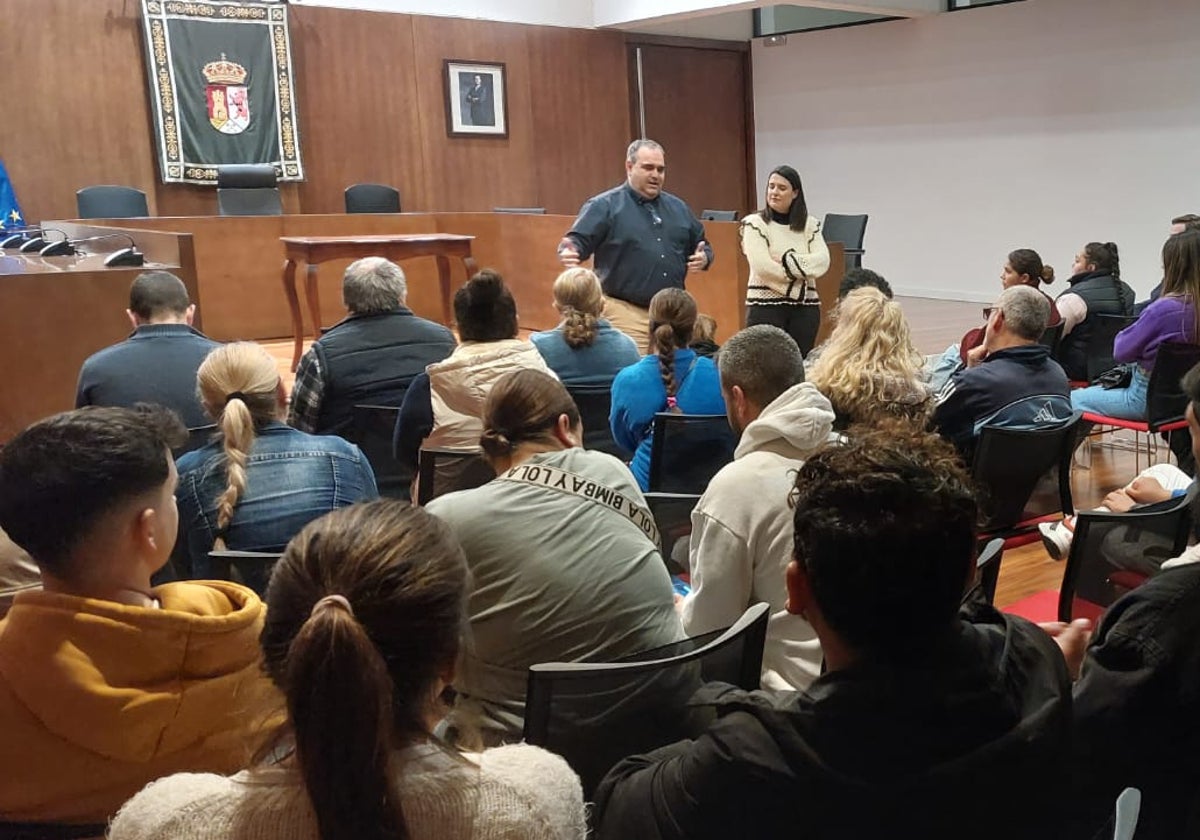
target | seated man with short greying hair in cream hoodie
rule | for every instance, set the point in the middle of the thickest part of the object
(742, 527)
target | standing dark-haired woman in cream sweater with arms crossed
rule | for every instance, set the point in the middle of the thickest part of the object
(787, 253)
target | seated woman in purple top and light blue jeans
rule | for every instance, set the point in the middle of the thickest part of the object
(1173, 317)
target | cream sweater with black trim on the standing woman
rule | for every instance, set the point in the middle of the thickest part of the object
(784, 263)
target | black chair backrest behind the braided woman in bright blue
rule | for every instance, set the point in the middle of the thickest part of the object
(688, 451)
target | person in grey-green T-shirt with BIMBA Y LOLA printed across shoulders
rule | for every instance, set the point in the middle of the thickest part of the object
(560, 574)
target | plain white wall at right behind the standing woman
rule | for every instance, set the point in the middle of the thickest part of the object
(1043, 124)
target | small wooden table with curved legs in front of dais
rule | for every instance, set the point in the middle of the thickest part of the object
(316, 250)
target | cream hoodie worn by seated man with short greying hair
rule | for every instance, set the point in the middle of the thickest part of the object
(742, 536)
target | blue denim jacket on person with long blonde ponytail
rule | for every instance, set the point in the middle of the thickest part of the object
(292, 478)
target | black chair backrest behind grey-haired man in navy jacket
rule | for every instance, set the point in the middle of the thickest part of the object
(1024, 473)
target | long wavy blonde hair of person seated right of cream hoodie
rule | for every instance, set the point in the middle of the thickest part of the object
(869, 368)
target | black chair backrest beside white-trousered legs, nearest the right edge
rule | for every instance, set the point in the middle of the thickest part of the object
(1105, 543)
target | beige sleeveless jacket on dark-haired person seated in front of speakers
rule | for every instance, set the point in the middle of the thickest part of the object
(460, 385)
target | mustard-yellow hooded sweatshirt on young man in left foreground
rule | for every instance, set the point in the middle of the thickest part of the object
(99, 699)
